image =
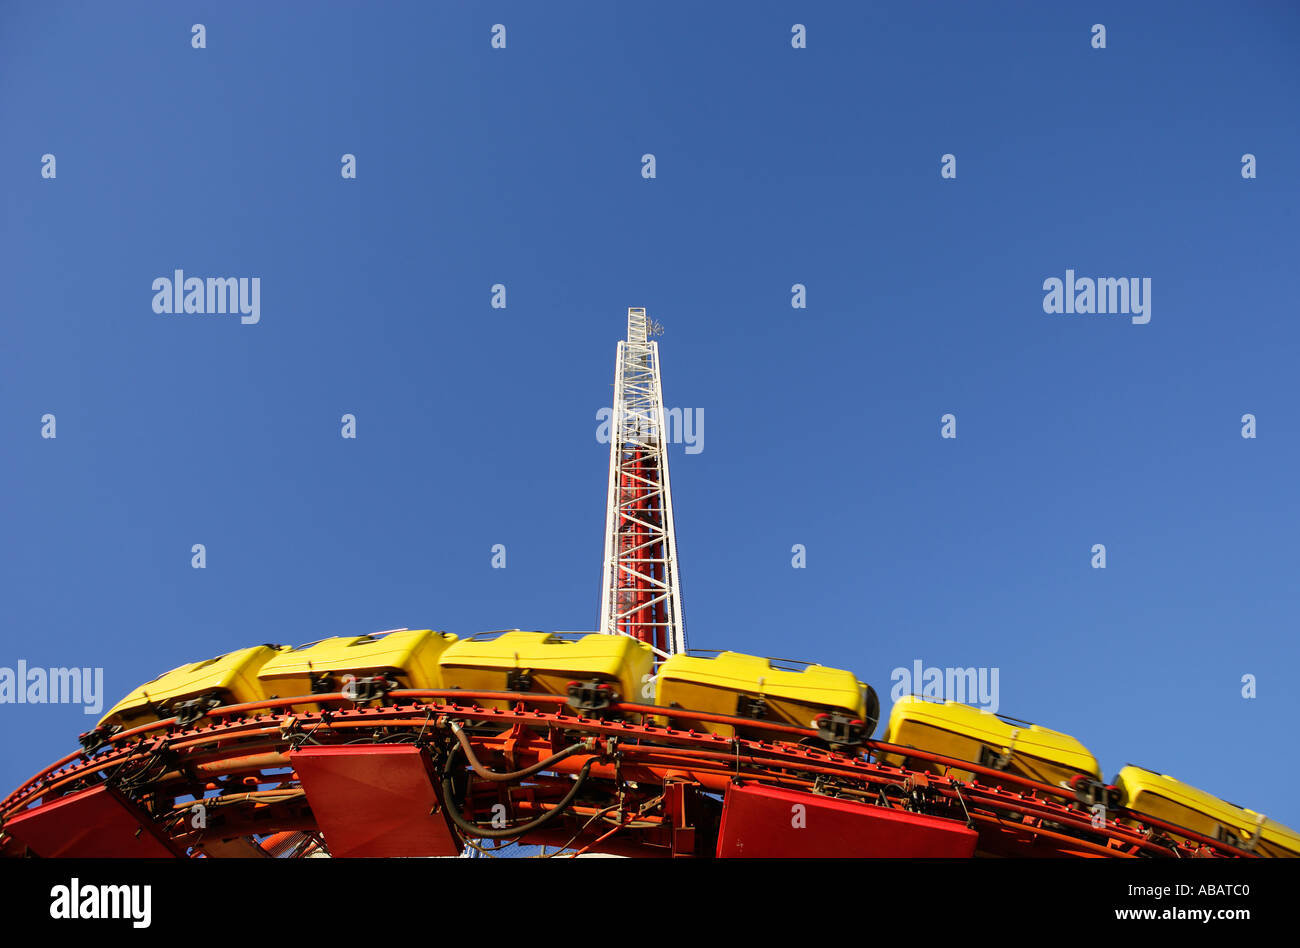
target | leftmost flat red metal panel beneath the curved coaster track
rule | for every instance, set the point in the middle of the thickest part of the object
(99, 824)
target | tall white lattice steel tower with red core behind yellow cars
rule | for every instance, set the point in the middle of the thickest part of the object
(642, 594)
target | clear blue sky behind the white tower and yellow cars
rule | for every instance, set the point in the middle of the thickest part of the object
(822, 426)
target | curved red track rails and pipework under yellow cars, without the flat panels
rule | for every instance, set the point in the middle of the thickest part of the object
(630, 797)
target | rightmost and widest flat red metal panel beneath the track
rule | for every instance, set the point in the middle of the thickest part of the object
(768, 823)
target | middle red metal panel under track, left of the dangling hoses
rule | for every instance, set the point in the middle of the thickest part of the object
(375, 800)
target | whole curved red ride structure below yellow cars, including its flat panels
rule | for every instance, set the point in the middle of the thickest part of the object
(266, 780)
